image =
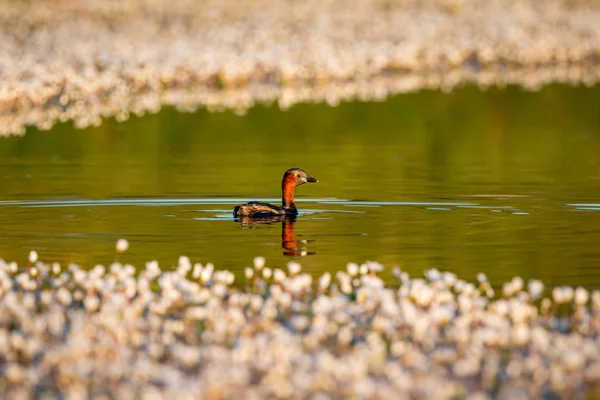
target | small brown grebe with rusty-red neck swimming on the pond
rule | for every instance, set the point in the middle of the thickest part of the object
(293, 177)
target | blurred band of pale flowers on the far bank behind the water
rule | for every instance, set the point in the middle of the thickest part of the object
(84, 61)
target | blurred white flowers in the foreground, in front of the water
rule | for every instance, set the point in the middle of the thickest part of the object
(190, 332)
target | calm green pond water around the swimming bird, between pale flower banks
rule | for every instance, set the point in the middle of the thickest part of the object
(504, 181)
